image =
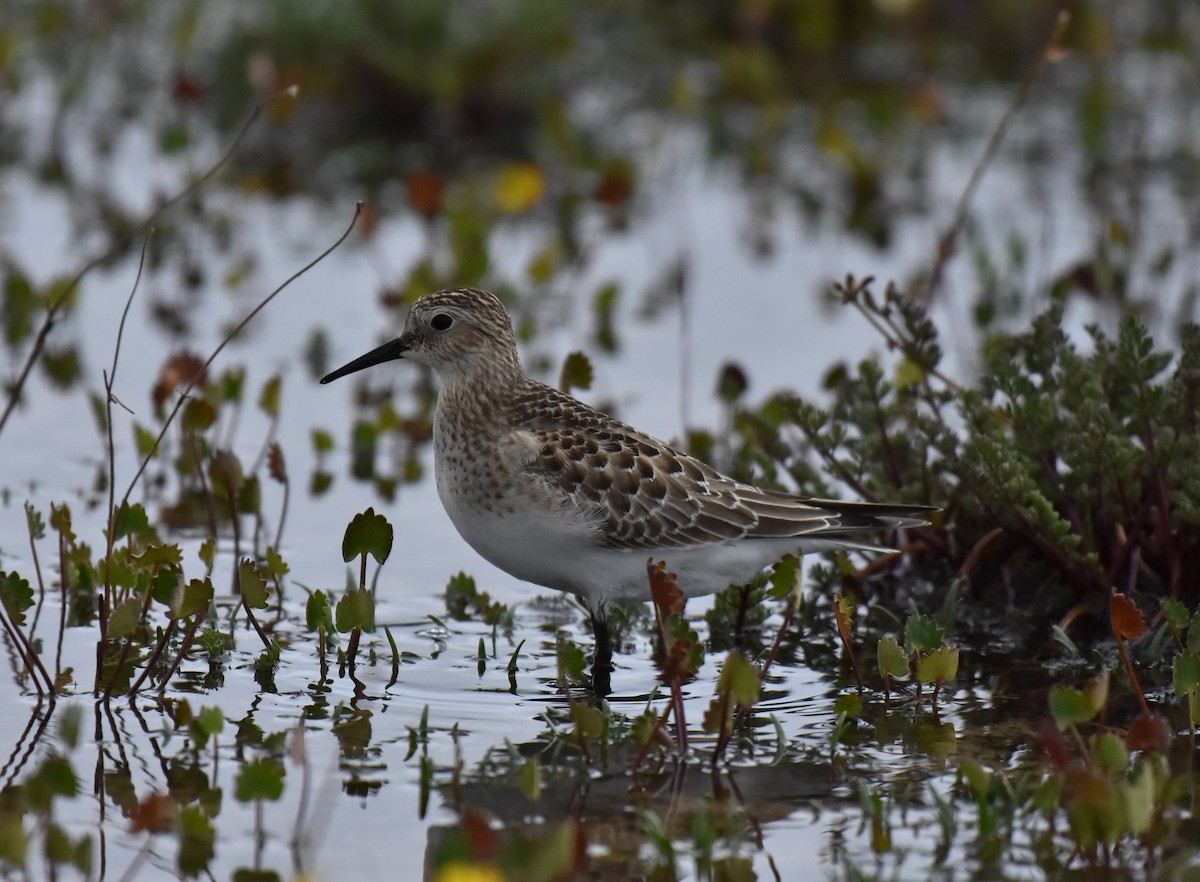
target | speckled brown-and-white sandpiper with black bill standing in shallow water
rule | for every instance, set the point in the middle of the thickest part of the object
(557, 494)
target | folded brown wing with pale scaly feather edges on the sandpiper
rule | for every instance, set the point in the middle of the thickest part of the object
(644, 495)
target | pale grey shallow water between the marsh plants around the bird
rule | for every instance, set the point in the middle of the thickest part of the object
(788, 809)
